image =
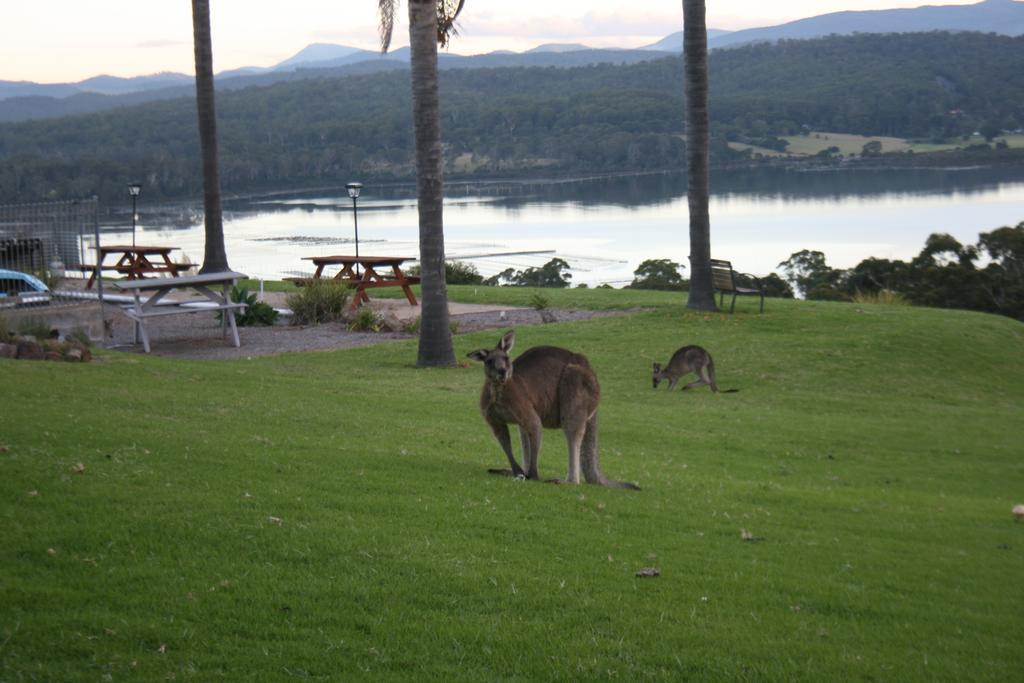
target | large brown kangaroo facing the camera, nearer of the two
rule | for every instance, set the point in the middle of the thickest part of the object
(550, 388)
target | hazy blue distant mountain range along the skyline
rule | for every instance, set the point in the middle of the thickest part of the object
(23, 101)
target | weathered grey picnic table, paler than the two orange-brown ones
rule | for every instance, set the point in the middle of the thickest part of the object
(155, 306)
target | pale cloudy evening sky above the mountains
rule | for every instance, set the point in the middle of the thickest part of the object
(65, 41)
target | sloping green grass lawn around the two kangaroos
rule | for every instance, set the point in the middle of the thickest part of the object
(329, 516)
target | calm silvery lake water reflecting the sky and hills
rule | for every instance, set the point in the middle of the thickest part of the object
(605, 228)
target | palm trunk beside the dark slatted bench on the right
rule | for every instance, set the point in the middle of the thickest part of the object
(698, 177)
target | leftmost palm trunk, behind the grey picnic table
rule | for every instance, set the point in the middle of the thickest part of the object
(216, 258)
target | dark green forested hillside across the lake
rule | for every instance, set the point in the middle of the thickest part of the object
(528, 120)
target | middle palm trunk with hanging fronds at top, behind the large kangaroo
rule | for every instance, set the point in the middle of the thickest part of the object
(436, 336)
